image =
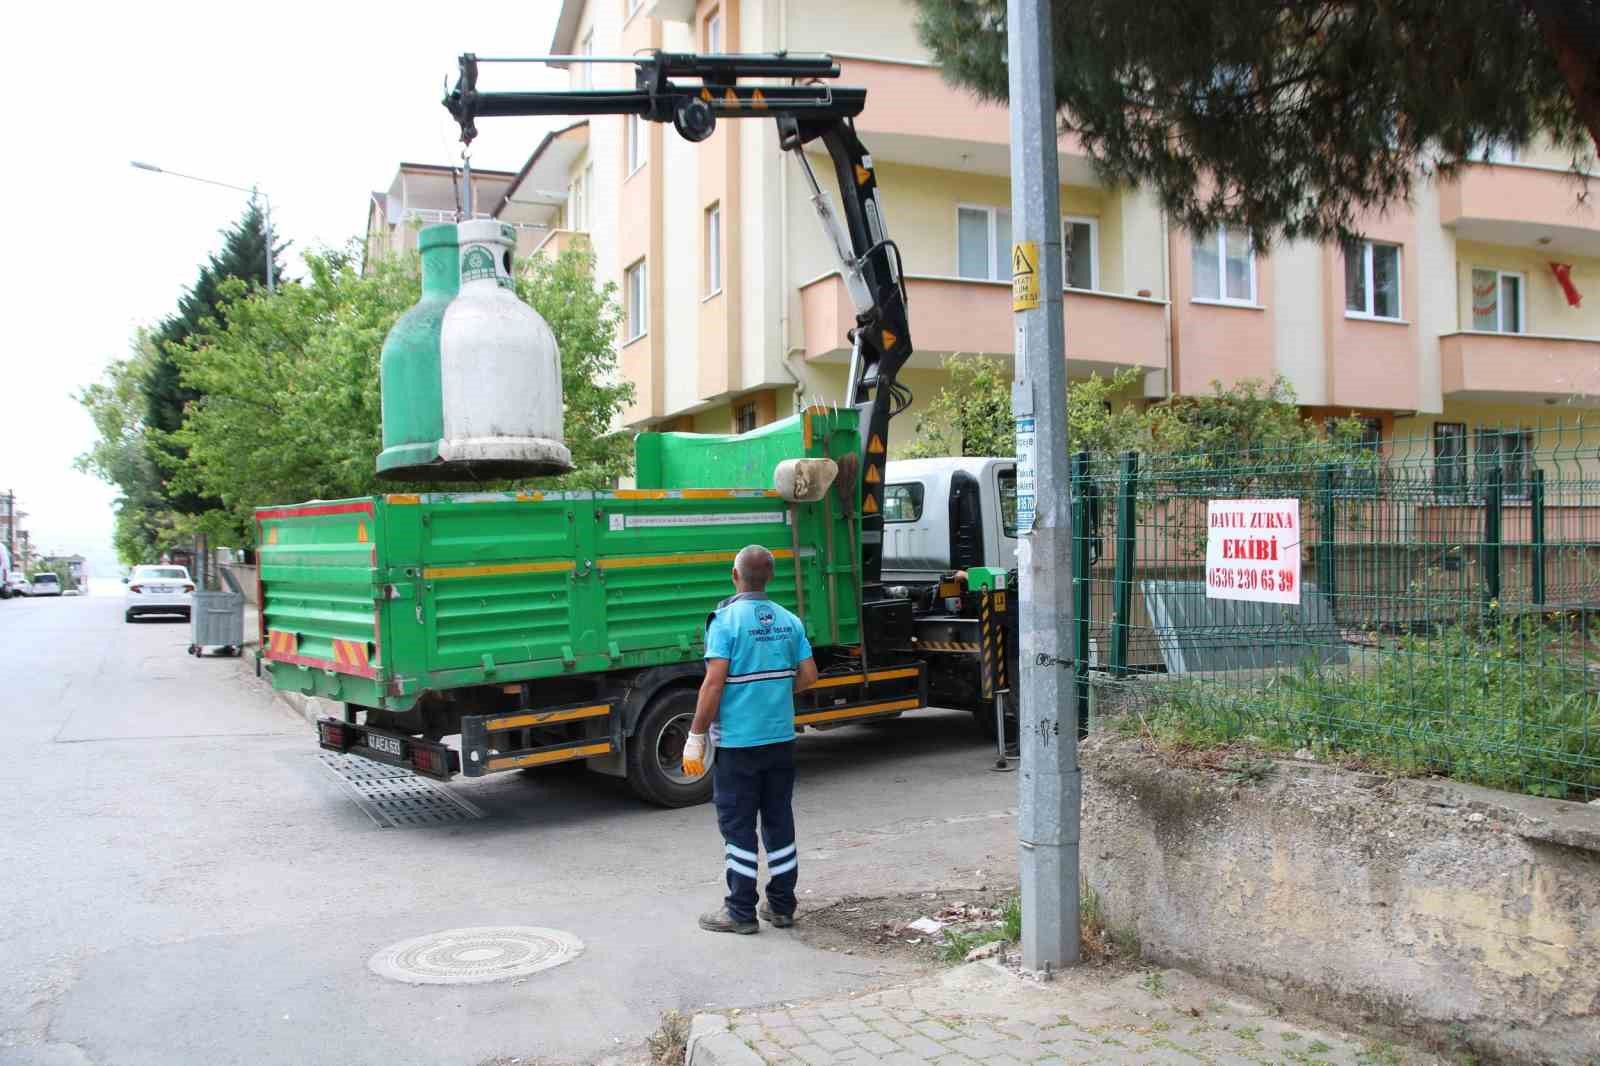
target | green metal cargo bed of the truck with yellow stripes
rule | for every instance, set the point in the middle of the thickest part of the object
(380, 601)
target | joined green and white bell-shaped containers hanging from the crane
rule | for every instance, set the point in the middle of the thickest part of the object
(471, 375)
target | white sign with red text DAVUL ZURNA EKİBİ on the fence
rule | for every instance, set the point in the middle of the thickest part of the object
(1252, 550)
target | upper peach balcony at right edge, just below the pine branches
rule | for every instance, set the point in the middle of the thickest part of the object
(1510, 204)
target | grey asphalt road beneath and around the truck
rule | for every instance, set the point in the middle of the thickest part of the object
(183, 881)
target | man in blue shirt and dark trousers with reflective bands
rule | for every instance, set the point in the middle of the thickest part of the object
(758, 659)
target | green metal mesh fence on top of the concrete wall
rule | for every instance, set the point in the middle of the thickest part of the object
(1447, 619)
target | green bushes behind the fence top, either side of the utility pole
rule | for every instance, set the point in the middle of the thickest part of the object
(1246, 425)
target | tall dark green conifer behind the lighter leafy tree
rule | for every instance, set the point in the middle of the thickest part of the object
(244, 255)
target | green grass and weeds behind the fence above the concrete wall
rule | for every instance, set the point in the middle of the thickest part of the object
(1508, 707)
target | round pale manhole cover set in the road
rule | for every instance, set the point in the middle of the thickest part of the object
(470, 956)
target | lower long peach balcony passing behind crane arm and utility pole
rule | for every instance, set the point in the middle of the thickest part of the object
(1106, 332)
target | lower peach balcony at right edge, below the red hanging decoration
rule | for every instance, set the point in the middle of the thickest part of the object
(1519, 367)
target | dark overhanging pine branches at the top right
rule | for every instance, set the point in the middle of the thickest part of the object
(1294, 118)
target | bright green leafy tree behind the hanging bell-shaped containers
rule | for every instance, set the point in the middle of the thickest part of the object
(289, 393)
